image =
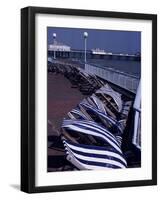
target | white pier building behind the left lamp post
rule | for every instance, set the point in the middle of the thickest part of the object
(59, 47)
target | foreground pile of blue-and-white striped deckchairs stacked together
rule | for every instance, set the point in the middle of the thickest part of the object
(92, 132)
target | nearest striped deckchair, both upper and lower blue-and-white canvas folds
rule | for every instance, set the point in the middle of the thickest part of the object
(91, 157)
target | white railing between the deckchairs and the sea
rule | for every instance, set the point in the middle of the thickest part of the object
(124, 80)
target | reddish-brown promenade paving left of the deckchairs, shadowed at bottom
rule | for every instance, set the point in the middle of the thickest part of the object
(61, 99)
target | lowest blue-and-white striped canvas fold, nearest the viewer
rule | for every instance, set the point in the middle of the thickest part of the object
(93, 157)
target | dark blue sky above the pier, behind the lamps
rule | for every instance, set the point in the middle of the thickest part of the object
(111, 41)
